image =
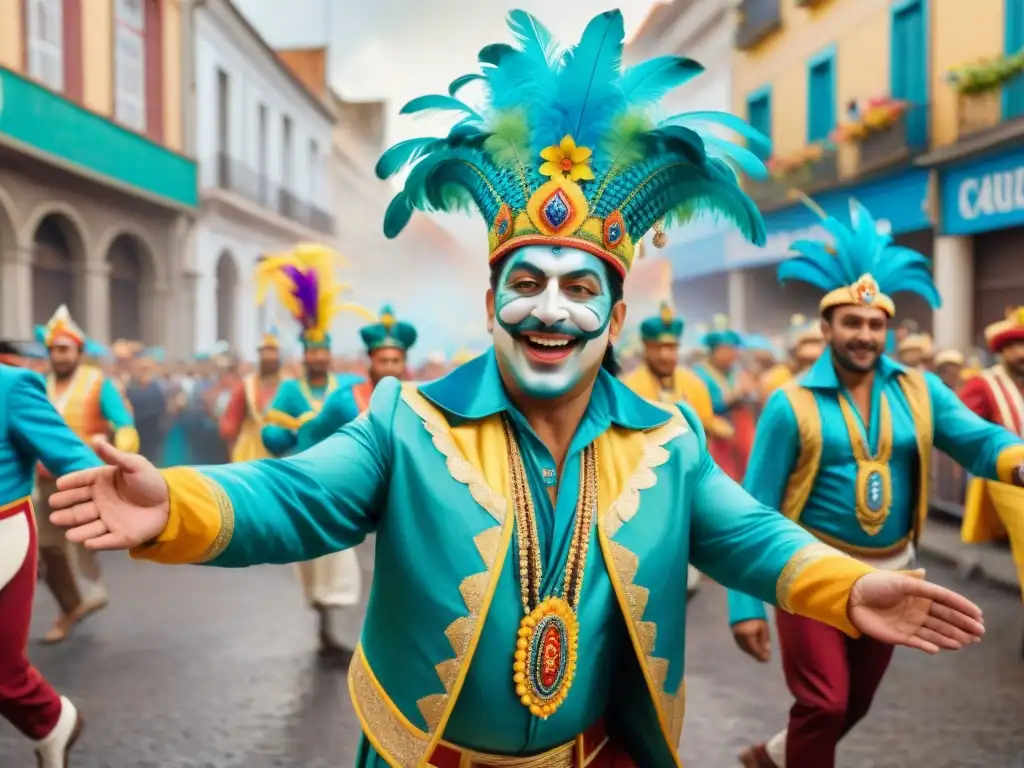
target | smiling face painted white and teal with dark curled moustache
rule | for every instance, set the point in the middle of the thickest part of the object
(553, 308)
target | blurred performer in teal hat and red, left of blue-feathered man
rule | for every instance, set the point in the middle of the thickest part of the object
(732, 392)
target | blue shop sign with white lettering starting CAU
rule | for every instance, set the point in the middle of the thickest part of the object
(985, 195)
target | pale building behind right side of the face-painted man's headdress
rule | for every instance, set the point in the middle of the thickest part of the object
(702, 30)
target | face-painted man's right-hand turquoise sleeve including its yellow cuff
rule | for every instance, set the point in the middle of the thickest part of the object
(749, 547)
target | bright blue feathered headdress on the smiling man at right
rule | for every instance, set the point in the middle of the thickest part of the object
(861, 267)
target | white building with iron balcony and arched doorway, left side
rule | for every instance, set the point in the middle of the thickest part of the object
(264, 143)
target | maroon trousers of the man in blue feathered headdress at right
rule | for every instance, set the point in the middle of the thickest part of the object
(833, 678)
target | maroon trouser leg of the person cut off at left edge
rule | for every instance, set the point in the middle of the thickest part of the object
(26, 699)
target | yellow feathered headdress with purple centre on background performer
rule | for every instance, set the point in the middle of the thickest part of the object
(307, 287)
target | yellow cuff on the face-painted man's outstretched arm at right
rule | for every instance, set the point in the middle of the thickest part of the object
(817, 584)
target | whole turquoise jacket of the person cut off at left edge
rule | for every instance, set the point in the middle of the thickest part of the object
(31, 432)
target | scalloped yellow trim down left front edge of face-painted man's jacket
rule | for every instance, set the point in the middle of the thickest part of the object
(476, 455)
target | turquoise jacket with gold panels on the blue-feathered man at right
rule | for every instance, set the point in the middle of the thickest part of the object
(830, 510)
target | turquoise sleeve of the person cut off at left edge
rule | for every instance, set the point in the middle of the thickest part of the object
(41, 433)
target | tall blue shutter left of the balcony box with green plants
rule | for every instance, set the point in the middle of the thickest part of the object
(909, 73)
